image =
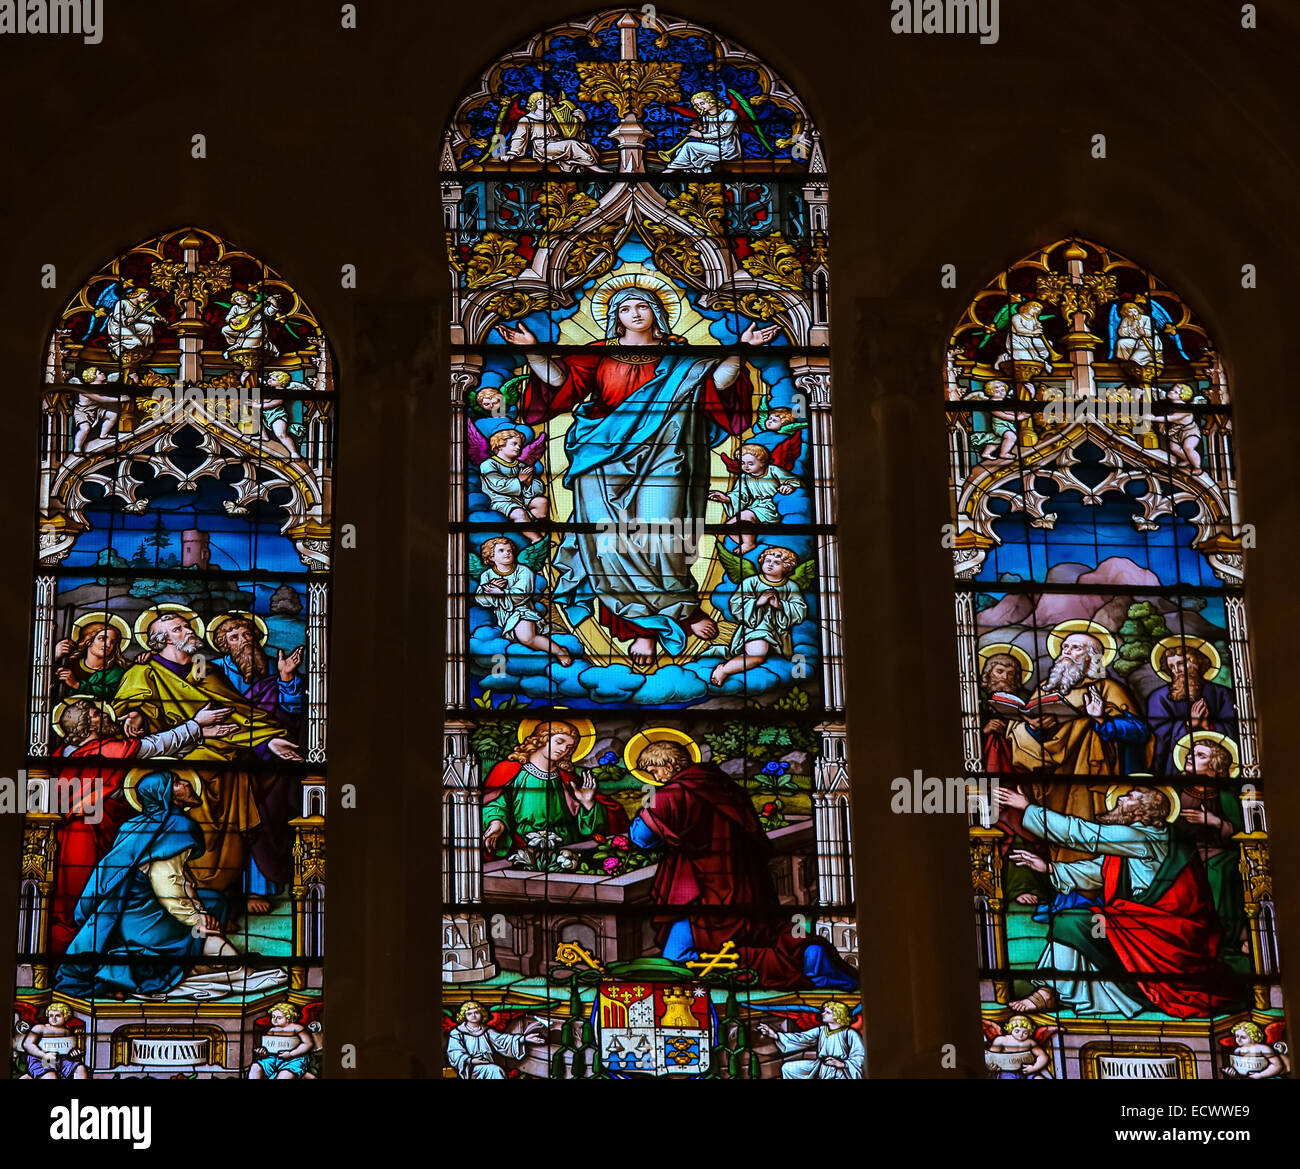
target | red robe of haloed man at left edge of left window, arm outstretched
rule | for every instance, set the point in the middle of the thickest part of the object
(80, 845)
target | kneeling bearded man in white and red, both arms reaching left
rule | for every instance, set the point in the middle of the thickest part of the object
(1151, 893)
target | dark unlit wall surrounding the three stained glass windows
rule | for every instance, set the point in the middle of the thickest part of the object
(323, 149)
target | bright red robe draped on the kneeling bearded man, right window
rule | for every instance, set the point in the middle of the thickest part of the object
(1177, 934)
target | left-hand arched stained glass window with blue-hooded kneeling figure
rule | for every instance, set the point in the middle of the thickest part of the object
(174, 865)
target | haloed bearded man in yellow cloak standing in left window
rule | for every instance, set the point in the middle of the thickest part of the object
(170, 689)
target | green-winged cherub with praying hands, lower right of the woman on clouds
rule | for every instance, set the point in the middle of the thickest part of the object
(769, 604)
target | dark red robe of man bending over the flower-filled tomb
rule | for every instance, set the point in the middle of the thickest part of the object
(716, 854)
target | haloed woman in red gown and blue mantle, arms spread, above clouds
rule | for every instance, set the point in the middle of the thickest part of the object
(639, 449)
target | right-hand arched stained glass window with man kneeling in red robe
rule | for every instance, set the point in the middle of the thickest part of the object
(1123, 894)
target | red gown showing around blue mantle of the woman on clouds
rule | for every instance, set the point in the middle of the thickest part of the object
(605, 383)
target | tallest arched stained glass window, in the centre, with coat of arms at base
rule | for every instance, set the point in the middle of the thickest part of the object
(648, 858)
